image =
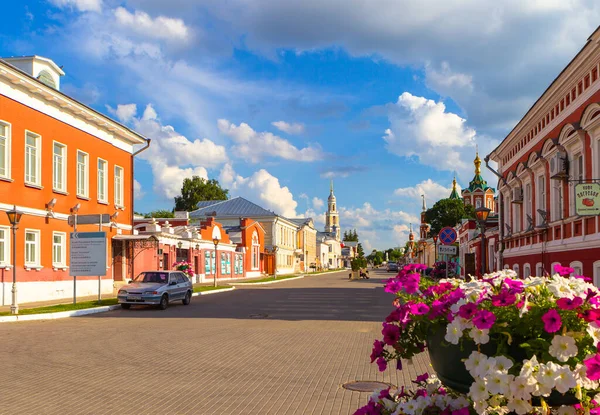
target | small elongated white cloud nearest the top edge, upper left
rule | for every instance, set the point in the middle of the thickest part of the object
(161, 27)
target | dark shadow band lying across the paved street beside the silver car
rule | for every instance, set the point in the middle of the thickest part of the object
(360, 300)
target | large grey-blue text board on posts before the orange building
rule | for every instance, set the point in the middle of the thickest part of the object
(87, 252)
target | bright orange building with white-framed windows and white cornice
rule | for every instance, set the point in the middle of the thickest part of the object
(58, 157)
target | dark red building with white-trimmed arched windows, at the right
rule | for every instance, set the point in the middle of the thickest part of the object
(554, 147)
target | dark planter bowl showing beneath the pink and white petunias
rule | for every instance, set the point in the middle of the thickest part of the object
(448, 362)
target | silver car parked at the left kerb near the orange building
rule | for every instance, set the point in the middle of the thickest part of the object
(156, 288)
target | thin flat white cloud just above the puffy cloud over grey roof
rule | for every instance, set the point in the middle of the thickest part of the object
(253, 146)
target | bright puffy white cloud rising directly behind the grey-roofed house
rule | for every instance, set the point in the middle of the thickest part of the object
(262, 188)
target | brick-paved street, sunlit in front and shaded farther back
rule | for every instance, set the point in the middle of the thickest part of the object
(277, 349)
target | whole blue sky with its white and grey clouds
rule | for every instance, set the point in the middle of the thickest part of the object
(275, 98)
